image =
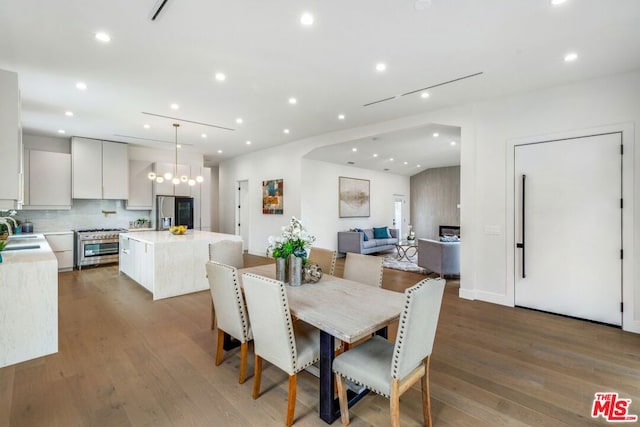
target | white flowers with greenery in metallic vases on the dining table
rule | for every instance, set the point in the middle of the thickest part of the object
(290, 251)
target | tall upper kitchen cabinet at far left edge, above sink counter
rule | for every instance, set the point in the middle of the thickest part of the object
(11, 179)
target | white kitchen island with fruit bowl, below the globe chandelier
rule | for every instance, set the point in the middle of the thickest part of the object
(165, 264)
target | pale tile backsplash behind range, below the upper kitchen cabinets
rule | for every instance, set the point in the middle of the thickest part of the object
(83, 214)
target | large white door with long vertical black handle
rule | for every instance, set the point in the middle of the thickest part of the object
(568, 226)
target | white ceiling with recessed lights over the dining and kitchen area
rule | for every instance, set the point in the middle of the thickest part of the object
(268, 57)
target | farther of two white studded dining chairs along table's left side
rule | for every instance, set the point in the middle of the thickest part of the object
(230, 311)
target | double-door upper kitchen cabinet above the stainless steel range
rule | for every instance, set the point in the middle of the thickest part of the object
(100, 169)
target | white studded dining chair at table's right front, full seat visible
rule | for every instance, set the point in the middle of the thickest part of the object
(388, 369)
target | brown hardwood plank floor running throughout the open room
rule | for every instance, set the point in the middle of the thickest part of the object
(126, 360)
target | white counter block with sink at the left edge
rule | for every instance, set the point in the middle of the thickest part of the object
(28, 300)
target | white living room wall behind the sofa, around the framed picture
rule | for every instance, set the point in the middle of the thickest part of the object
(320, 199)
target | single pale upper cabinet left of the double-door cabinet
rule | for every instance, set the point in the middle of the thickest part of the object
(47, 180)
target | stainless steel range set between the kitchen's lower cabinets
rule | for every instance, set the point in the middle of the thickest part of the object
(97, 246)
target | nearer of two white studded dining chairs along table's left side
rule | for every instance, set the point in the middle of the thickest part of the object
(290, 346)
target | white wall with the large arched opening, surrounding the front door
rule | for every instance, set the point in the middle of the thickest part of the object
(487, 129)
